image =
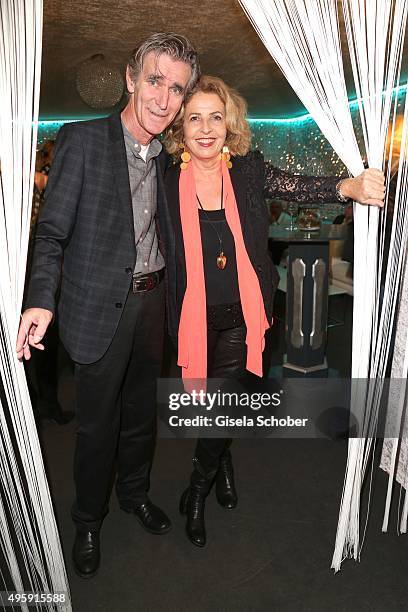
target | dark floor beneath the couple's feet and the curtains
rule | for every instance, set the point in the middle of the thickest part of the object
(273, 552)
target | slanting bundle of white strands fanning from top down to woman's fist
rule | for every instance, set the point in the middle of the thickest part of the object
(297, 35)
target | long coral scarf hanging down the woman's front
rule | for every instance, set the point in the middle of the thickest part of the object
(192, 335)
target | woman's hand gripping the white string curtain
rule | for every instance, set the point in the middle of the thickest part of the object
(366, 188)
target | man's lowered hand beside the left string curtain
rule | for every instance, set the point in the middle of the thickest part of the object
(33, 326)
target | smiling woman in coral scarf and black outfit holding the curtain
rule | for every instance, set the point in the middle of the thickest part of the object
(221, 281)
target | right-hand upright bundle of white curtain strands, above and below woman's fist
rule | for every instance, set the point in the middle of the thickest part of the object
(371, 343)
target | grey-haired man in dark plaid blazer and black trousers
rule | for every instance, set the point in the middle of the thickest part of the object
(99, 220)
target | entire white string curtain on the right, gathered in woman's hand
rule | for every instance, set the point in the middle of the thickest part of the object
(303, 38)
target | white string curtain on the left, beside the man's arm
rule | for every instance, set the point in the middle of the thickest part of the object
(28, 531)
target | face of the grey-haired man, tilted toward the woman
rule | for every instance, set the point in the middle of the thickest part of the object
(156, 96)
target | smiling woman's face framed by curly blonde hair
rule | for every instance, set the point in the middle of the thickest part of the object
(204, 125)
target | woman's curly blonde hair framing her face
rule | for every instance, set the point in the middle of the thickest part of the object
(238, 137)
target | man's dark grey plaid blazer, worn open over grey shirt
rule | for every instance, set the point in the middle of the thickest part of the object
(86, 226)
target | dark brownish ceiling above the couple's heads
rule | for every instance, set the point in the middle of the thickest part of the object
(74, 30)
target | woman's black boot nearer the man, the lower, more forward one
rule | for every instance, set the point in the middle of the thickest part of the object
(192, 503)
